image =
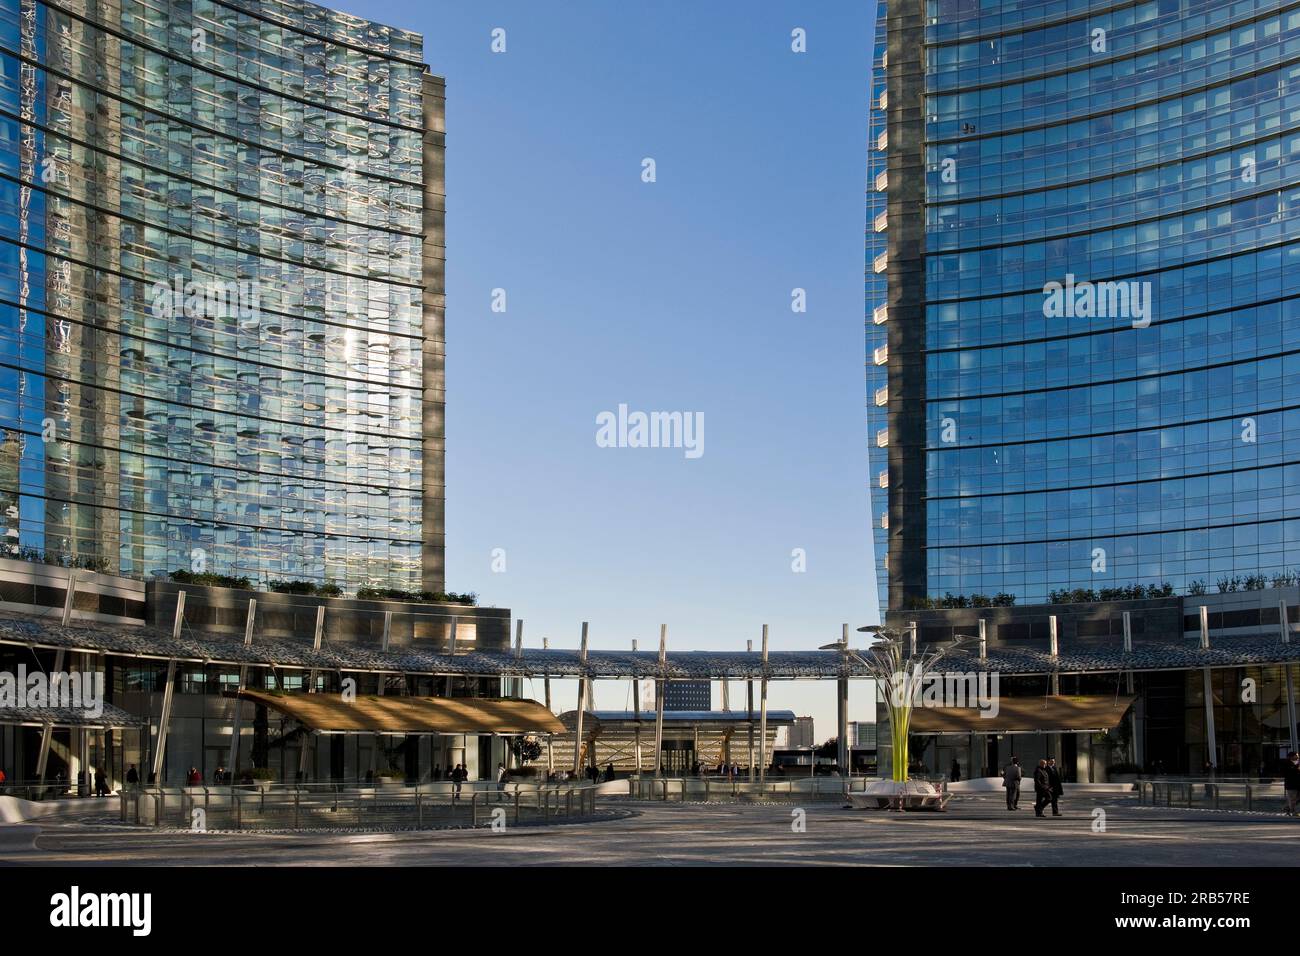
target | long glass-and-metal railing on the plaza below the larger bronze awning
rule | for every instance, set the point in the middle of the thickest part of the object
(246, 807)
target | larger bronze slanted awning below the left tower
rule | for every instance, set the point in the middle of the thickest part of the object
(330, 713)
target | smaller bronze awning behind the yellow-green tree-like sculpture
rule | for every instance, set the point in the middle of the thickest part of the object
(1026, 716)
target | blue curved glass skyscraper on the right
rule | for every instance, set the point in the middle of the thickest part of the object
(1084, 263)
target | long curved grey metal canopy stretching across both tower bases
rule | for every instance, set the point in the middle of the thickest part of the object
(1080, 657)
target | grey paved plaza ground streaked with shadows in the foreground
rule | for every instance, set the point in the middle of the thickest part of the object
(974, 832)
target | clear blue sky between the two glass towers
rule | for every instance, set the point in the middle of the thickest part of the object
(668, 296)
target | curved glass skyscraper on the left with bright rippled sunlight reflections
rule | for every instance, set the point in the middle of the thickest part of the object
(222, 292)
